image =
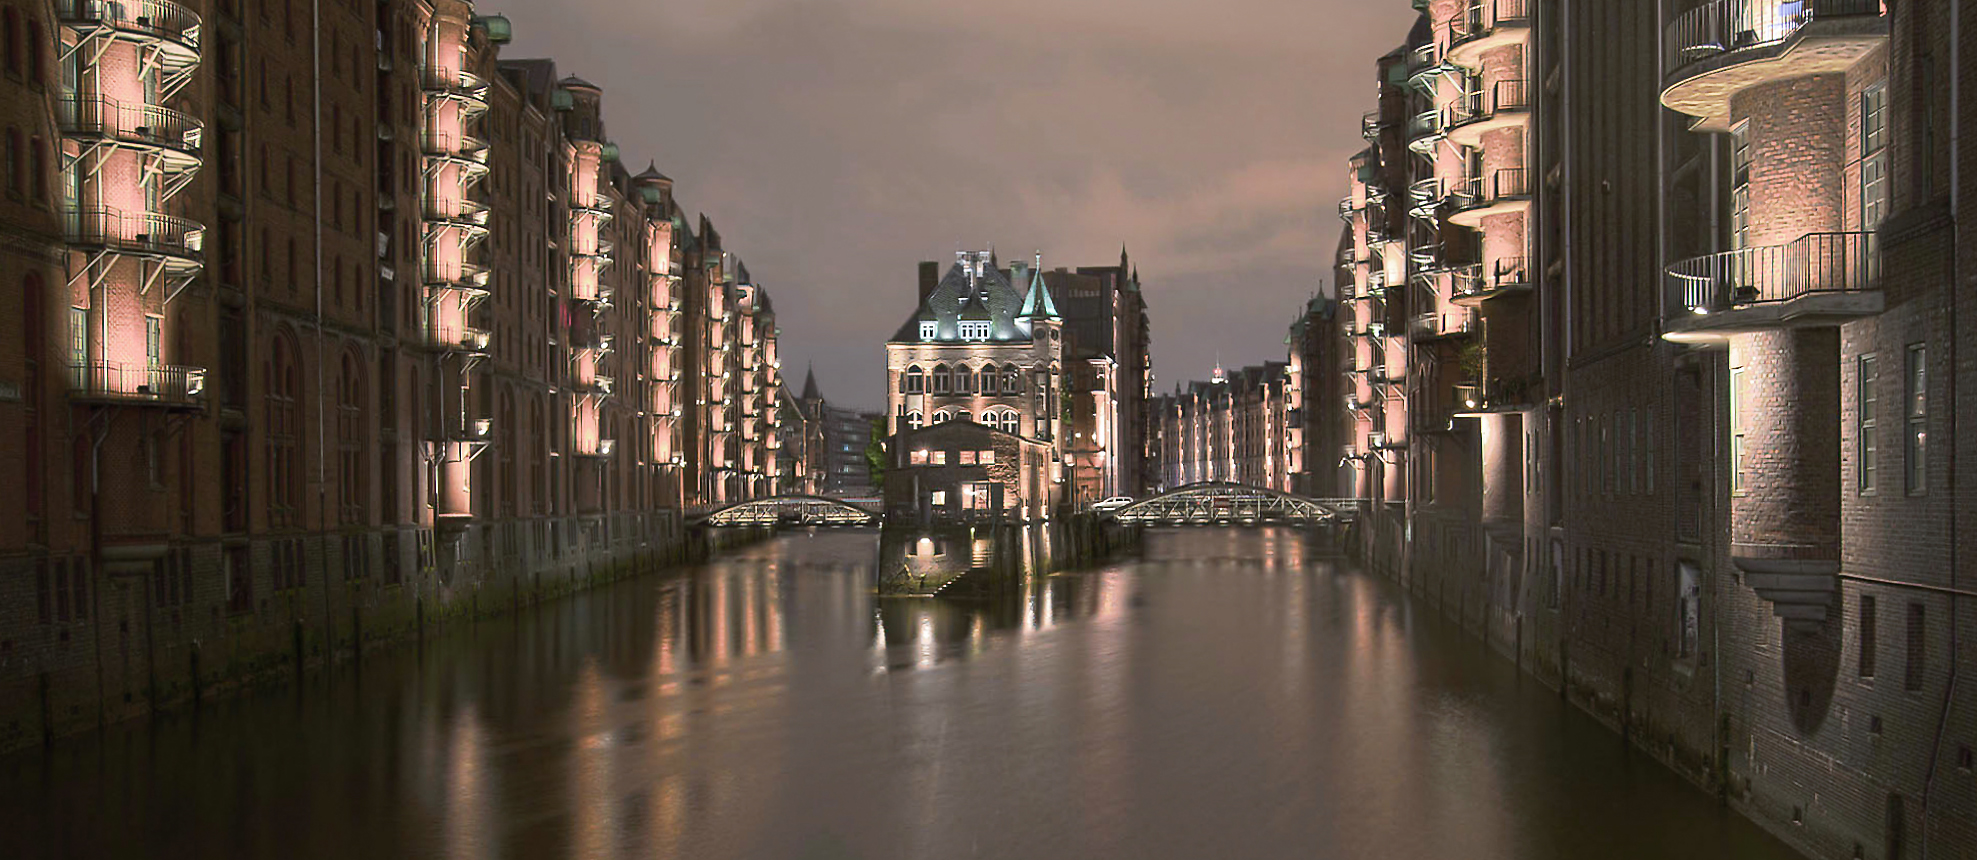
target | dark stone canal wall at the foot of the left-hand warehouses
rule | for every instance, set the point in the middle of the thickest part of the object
(139, 644)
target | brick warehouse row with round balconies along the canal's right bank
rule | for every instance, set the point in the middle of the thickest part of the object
(1677, 464)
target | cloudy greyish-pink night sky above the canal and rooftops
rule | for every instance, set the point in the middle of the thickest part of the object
(837, 143)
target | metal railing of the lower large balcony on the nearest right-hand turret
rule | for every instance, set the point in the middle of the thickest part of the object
(1776, 274)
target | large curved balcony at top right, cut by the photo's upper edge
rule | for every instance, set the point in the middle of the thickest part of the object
(1727, 46)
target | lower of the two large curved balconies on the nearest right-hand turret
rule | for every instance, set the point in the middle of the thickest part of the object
(1822, 280)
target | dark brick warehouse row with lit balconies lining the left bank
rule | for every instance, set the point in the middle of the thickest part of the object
(327, 327)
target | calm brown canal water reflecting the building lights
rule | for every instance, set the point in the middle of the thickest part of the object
(1225, 695)
